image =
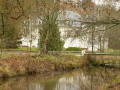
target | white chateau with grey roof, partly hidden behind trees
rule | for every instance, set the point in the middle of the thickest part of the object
(32, 38)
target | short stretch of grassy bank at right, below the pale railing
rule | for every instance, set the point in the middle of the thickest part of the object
(104, 60)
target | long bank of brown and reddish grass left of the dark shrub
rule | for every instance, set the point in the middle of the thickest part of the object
(26, 64)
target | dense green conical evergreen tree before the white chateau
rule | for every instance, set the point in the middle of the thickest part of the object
(51, 33)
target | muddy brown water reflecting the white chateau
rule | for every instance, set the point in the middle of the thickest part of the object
(82, 79)
